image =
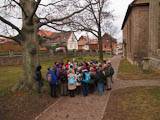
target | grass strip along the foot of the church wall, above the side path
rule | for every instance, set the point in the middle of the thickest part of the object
(128, 71)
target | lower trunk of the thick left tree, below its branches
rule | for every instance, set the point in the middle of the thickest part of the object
(30, 59)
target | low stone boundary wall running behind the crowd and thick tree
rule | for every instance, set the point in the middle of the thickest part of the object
(17, 60)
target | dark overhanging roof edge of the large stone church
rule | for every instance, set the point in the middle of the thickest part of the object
(131, 5)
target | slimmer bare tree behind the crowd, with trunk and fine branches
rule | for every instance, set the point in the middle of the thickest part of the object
(95, 19)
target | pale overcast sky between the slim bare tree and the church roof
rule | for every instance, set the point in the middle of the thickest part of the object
(120, 8)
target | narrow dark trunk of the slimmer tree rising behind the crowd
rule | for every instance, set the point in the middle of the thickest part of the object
(100, 49)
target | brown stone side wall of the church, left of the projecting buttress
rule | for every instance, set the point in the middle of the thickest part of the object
(136, 34)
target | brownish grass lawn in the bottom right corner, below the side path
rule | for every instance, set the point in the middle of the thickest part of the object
(140, 103)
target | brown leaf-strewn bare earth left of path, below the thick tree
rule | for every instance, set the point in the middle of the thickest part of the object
(23, 105)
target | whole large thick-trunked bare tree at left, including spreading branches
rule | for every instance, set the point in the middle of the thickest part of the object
(21, 20)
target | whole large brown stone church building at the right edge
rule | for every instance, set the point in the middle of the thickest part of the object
(141, 33)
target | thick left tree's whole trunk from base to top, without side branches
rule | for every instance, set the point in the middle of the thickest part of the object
(30, 45)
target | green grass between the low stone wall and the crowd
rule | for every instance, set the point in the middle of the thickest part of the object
(10, 75)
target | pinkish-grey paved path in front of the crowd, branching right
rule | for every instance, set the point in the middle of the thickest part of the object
(91, 107)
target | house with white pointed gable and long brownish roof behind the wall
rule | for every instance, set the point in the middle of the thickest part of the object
(67, 39)
